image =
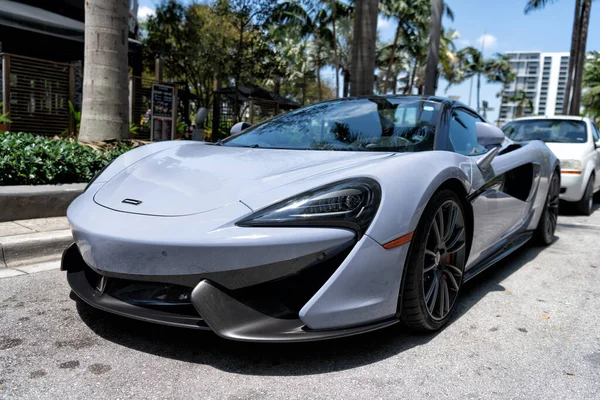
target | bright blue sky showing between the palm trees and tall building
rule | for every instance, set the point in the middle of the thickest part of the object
(501, 26)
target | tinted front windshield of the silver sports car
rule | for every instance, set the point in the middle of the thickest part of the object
(369, 124)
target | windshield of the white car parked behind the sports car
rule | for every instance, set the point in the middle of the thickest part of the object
(547, 130)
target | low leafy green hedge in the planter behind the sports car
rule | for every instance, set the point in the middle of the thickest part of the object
(27, 159)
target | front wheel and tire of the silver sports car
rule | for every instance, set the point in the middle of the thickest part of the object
(435, 264)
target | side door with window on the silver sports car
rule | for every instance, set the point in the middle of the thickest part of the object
(498, 210)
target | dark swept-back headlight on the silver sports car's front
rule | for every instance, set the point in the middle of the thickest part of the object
(348, 204)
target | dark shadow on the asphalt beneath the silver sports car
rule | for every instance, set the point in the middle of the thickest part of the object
(203, 347)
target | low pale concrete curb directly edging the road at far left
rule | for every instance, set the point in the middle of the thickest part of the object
(32, 248)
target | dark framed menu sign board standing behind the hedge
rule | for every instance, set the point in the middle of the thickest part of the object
(164, 113)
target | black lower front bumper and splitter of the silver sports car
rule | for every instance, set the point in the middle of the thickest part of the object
(206, 306)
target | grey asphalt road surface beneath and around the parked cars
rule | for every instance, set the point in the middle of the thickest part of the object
(527, 328)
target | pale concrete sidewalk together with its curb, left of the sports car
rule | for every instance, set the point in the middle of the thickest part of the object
(32, 245)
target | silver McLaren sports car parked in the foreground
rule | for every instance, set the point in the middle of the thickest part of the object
(339, 218)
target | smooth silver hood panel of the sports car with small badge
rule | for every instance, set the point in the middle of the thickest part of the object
(193, 179)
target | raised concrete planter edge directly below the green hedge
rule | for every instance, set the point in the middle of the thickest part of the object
(40, 201)
